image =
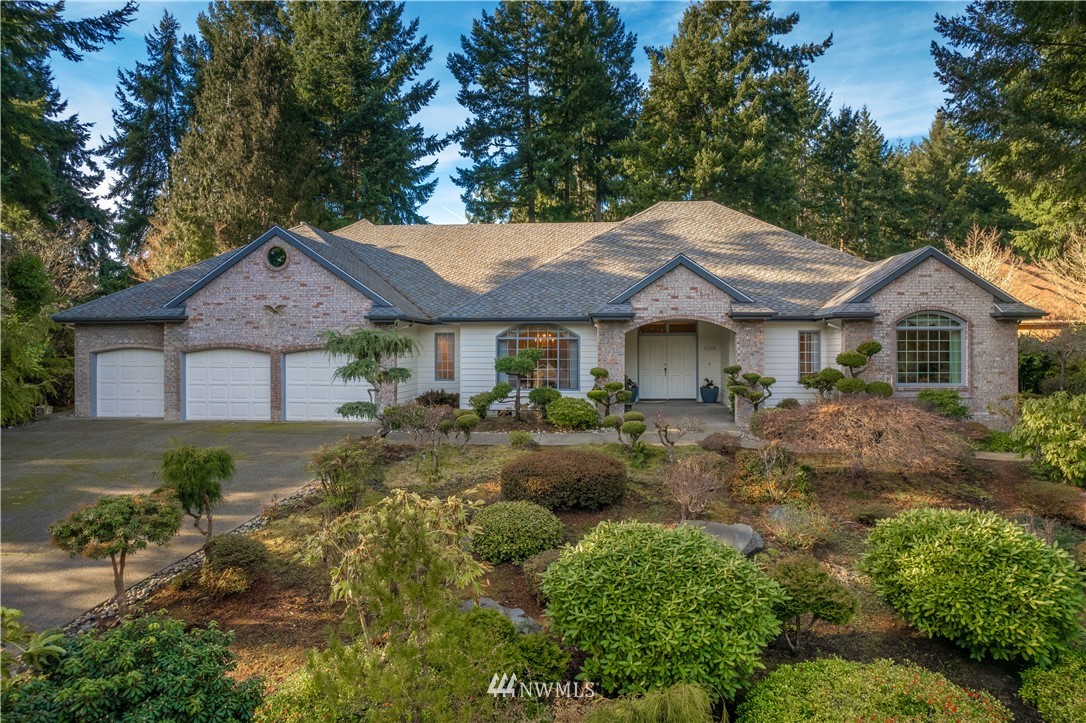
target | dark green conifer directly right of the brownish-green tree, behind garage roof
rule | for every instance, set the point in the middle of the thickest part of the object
(356, 67)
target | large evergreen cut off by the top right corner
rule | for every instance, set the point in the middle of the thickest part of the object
(1016, 74)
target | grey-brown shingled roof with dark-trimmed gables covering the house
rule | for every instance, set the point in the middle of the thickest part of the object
(559, 272)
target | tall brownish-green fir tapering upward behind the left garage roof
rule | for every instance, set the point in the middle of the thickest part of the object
(249, 160)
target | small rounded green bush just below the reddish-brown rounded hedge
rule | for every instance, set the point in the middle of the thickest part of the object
(513, 531)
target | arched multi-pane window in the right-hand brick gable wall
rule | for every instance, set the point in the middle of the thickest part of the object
(929, 350)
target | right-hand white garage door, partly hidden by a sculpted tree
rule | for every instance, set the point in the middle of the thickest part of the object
(310, 391)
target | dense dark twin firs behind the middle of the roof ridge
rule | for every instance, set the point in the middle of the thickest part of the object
(552, 96)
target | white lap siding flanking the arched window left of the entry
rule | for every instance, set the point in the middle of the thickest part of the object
(478, 347)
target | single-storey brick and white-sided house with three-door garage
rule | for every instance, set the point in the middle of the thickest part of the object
(668, 297)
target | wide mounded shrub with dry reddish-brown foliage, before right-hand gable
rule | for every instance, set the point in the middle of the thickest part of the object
(873, 434)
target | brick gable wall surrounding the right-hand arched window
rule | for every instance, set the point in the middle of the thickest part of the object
(990, 347)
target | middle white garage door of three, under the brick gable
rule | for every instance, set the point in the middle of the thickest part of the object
(228, 384)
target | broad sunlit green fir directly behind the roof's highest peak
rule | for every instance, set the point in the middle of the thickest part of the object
(728, 112)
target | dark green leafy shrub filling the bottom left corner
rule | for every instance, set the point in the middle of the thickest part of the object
(148, 669)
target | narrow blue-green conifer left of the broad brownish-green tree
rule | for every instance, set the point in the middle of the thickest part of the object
(153, 113)
